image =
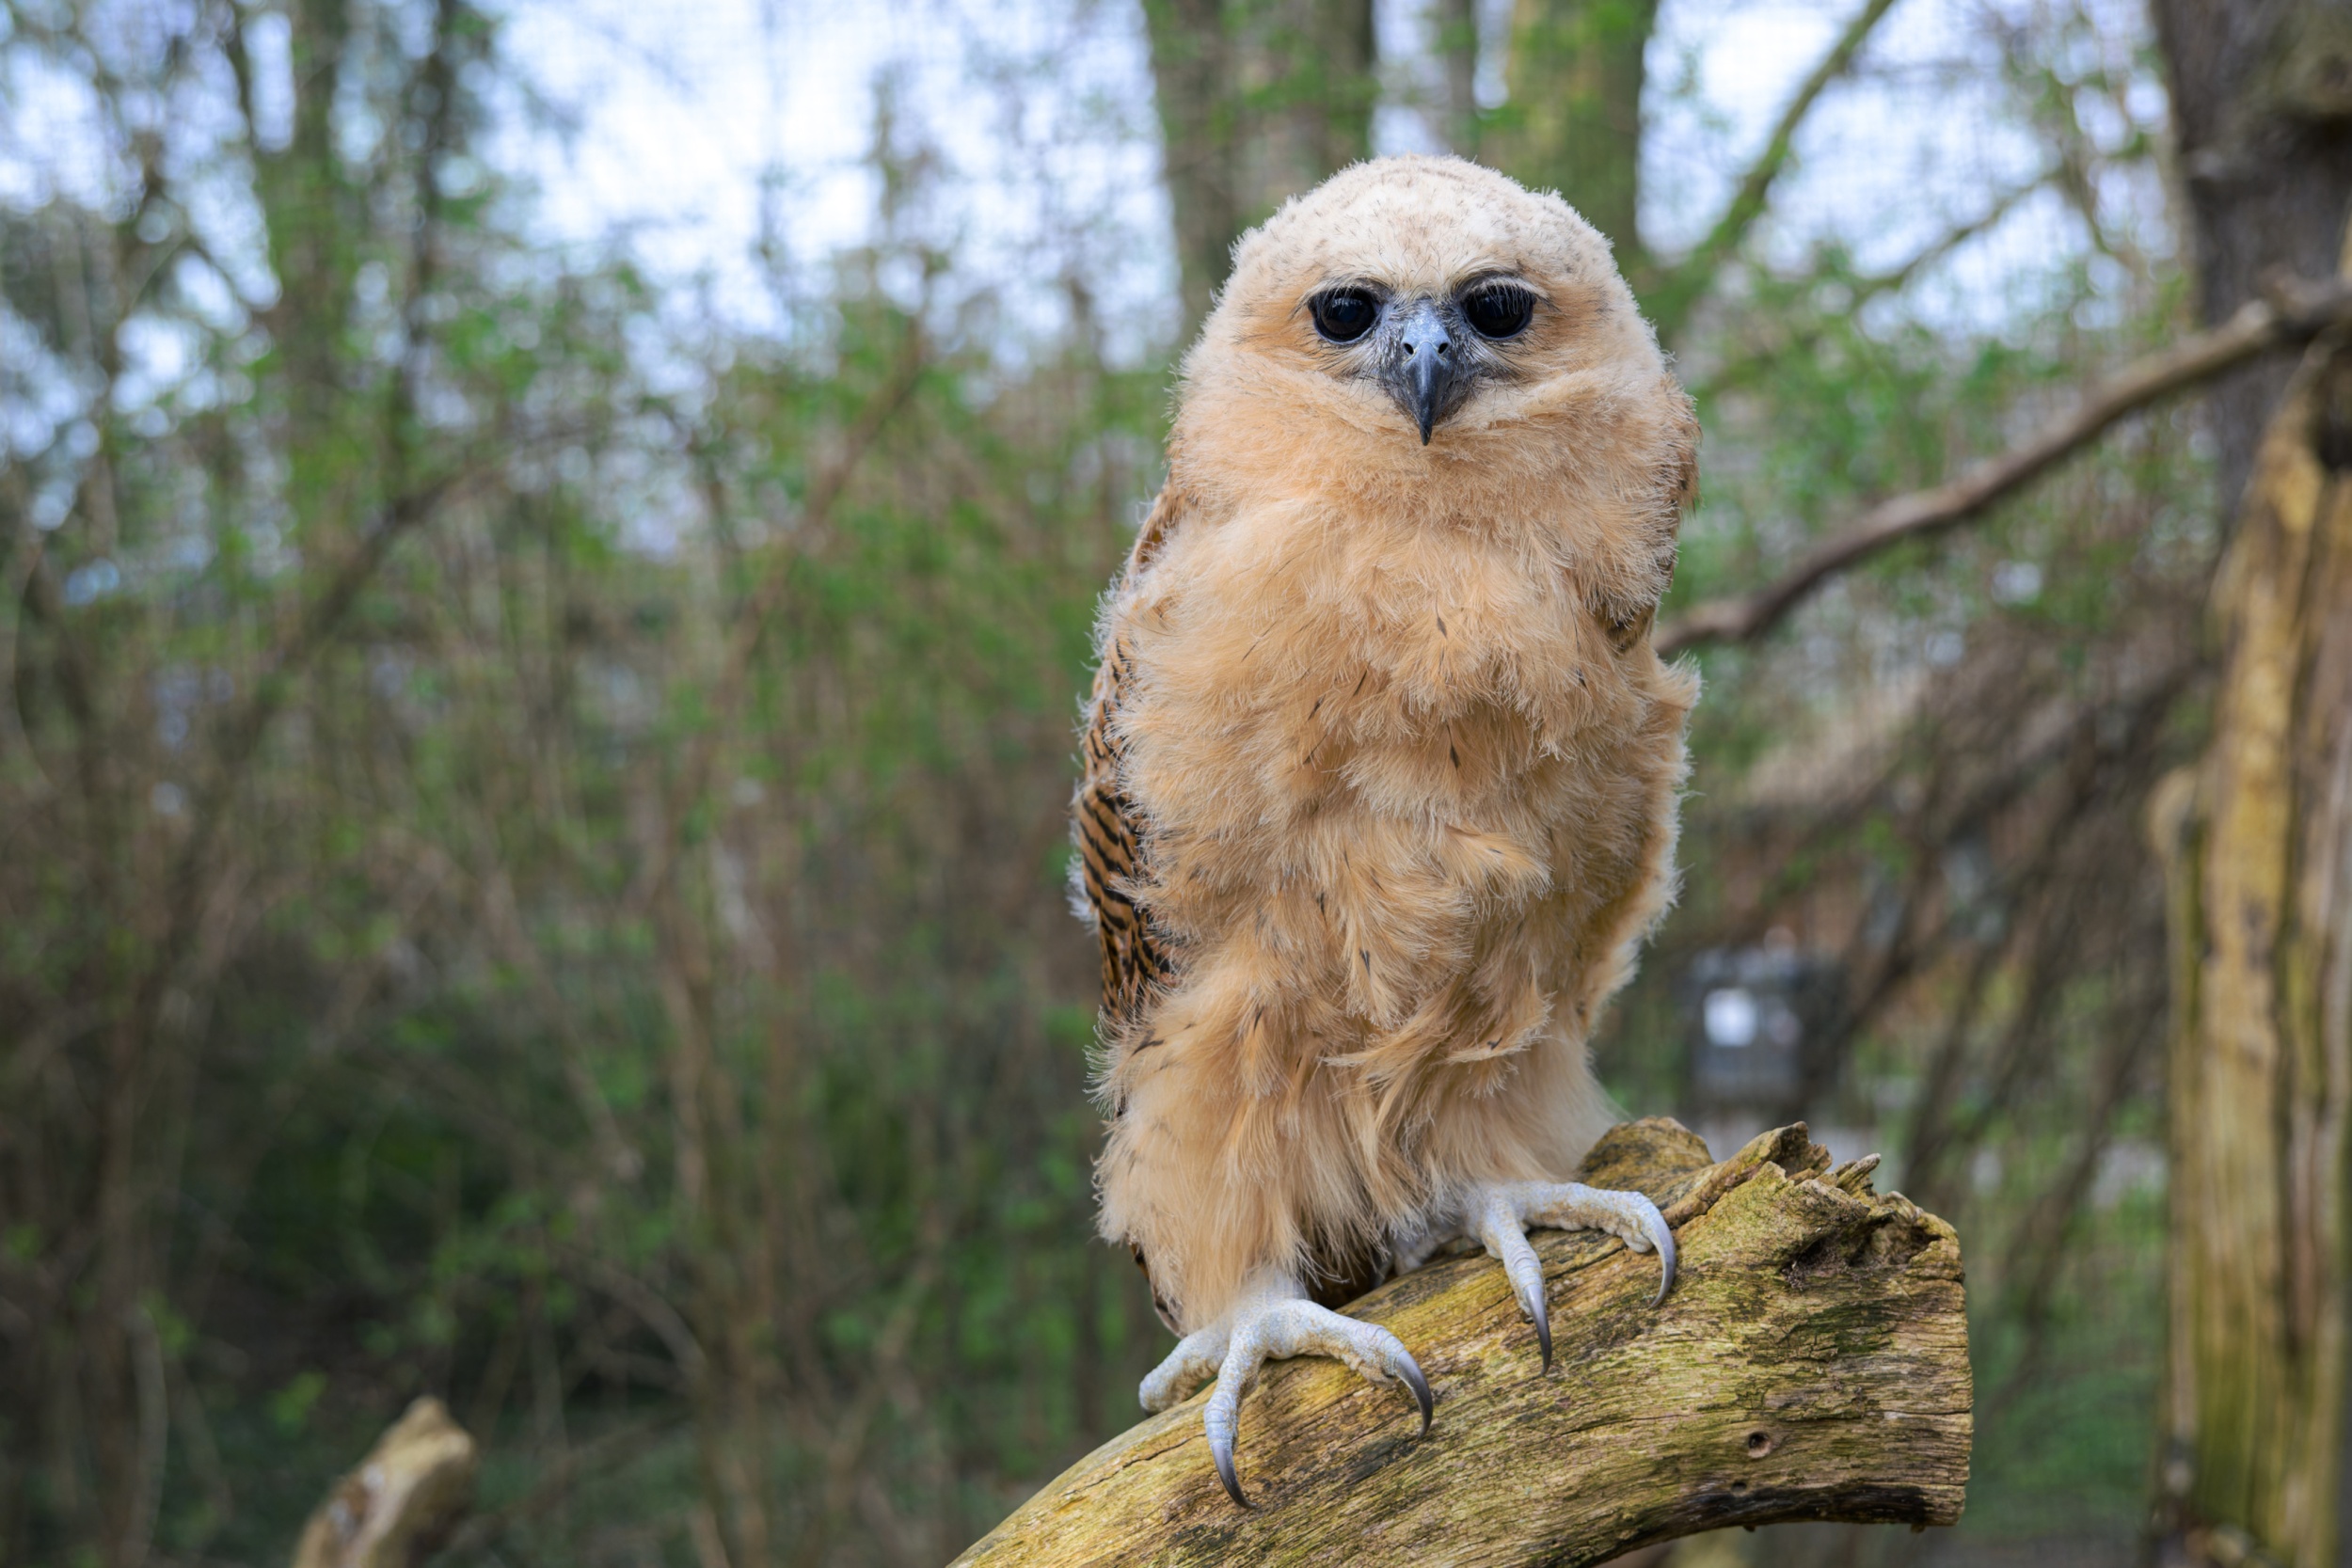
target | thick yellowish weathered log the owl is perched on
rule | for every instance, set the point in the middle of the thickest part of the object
(1810, 1365)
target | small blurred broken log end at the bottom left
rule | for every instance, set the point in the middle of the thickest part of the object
(401, 1501)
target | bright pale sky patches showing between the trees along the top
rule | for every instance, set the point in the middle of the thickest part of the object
(690, 128)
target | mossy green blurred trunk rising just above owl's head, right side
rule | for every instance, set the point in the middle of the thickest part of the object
(1575, 114)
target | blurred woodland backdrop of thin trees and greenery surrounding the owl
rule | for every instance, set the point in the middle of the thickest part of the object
(533, 751)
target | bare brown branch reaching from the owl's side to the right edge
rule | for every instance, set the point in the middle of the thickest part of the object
(2294, 314)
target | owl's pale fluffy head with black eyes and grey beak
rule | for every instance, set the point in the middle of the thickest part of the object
(1415, 302)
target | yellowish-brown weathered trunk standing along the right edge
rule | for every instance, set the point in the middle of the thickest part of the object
(2261, 1061)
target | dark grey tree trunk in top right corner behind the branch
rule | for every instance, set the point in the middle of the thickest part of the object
(2264, 130)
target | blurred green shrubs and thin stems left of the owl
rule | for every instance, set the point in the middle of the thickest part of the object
(479, 1087)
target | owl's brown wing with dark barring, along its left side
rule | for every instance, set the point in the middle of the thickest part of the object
(1111, 833)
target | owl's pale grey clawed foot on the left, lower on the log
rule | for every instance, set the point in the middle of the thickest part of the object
(1274, 1322)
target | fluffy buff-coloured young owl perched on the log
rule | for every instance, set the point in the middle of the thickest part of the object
(1382, 770)
